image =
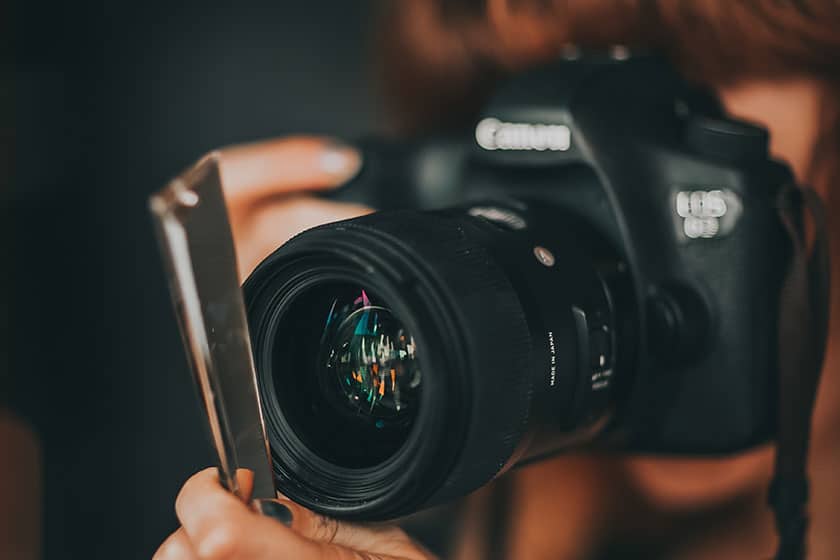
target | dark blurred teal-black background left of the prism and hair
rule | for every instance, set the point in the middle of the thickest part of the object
(109, 102)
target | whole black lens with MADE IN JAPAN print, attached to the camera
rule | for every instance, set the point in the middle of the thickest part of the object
(406, 358)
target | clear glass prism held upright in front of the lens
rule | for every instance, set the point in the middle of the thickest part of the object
(197, 248)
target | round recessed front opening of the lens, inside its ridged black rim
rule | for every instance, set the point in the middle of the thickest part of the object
(345, 373)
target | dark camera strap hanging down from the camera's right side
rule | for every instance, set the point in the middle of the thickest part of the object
(803, 331)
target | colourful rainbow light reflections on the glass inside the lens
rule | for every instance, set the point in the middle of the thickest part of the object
(372, 358)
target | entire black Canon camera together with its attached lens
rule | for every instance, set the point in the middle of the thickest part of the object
(601, 260)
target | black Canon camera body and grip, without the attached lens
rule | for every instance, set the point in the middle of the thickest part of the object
(687, 196)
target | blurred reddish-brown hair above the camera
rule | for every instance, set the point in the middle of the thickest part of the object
(440, 58)
